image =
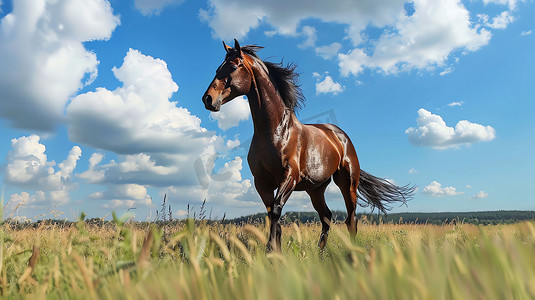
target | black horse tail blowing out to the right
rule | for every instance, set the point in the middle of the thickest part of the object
(379, 193)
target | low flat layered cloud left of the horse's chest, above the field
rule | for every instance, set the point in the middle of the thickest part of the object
(127, 179)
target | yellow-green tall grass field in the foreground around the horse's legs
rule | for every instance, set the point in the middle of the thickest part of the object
(196, 260)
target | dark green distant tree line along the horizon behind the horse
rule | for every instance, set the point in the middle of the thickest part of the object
(480, 217)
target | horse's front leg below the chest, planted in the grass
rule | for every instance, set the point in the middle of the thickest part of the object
(283, 193)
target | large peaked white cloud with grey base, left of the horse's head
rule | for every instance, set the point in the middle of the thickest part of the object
(137, 117)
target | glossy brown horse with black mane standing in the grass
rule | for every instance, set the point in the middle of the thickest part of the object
(286, 155)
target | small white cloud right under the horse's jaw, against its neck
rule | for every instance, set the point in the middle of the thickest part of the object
(232, 113)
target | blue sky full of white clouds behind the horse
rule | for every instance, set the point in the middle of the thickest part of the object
(101, 111)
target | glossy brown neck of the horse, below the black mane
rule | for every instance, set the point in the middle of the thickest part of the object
(268, 111)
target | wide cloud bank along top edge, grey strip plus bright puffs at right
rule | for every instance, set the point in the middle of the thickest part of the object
(423, 38)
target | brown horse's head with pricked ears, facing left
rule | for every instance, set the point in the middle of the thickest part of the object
(232, 79)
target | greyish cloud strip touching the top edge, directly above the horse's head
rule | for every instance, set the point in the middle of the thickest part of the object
(235, 18)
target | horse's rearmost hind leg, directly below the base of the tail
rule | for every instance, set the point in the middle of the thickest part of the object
(348, 186)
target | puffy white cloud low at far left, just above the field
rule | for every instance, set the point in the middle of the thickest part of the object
(28, 167)
